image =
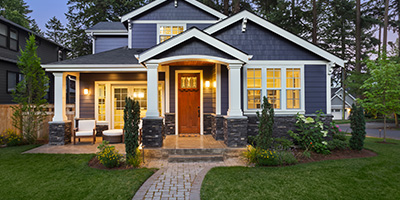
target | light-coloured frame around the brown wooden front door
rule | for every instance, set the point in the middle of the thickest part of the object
(176, 98)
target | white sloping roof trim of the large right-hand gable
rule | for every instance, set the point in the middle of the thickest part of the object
(277, 30)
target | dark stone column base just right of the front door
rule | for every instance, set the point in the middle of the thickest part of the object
(235, 131)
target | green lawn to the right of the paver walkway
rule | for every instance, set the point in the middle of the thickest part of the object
(362, 178)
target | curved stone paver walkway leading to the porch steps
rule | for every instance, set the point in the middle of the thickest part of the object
(178, 180)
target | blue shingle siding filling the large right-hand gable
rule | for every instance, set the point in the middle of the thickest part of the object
(263, 44)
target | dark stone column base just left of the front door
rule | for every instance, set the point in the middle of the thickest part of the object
(152, 132)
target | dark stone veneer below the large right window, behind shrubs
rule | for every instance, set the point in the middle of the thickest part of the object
(282, 124)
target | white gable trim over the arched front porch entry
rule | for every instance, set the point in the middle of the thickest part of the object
(189, 34)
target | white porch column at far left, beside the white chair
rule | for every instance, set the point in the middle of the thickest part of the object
(59, 97)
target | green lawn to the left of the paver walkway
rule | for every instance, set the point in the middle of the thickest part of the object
(57, 176)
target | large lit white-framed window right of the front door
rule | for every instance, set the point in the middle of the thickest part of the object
(282, 85)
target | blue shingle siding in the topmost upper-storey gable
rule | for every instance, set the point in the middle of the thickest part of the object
(167, 11)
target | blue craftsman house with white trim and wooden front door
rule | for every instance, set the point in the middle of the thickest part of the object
(193, 71)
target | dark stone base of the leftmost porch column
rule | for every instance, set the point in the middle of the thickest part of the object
(60, 133)
